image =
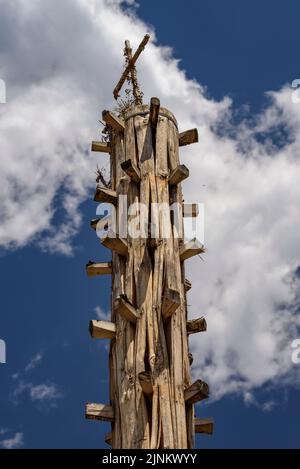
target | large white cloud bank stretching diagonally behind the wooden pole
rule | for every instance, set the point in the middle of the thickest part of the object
(60, 62)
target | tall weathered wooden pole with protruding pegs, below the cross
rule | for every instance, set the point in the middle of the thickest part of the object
(151, 394)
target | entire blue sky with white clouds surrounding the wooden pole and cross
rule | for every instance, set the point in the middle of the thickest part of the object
(235, 50)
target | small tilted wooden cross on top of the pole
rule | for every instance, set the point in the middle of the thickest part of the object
(130, 70)
